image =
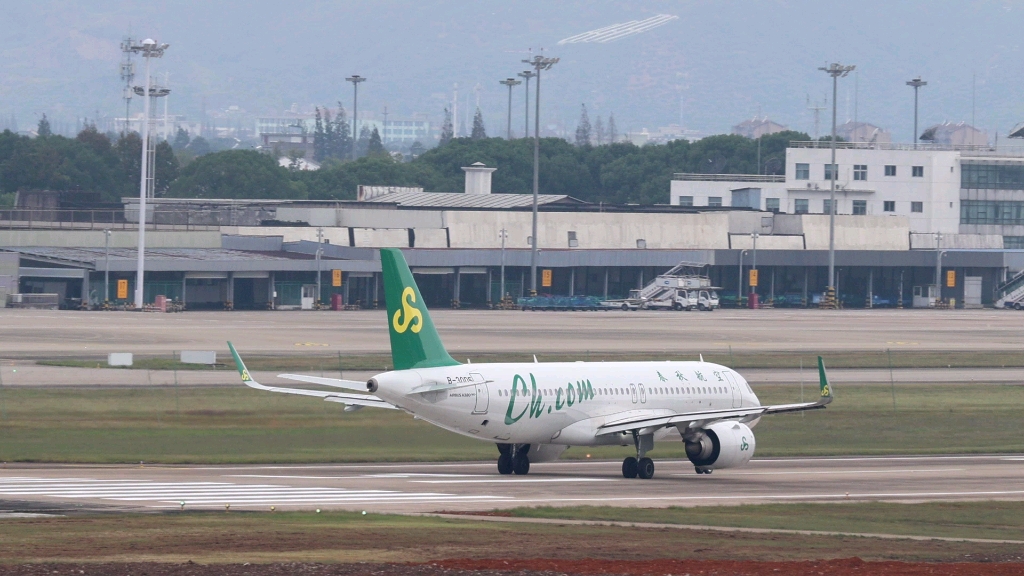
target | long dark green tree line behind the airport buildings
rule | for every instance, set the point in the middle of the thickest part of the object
(617, 174)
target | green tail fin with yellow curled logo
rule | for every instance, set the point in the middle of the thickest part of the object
(415, 343)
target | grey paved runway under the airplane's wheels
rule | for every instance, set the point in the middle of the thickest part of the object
(477, 486)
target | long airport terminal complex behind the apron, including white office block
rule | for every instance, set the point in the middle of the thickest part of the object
(264, 254)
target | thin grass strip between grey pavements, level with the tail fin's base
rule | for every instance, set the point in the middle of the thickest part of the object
(880, 359)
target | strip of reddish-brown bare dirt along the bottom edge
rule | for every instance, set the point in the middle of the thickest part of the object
(846, 567)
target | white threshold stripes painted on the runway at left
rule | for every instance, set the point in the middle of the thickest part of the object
(220, 493)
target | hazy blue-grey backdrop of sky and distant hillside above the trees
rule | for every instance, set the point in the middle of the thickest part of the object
(718, 64)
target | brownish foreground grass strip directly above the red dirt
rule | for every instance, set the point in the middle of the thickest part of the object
(306, 537)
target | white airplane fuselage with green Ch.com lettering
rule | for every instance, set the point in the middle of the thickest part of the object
(562, 403)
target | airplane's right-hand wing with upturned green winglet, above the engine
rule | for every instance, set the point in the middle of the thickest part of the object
(648, 422)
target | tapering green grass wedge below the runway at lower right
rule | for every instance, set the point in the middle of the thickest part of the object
(991, 520)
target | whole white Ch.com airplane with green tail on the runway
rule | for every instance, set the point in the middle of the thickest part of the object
(535, 412)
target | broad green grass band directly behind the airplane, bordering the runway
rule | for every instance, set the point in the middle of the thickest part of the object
(238, 425)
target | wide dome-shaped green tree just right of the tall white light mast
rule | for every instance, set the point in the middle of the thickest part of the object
(235, 174)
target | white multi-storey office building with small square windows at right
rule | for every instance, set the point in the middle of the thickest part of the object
(972, 195)
